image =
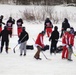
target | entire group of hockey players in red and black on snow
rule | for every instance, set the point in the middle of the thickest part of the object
(67, 35)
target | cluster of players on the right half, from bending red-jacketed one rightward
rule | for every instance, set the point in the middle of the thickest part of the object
(67, 35)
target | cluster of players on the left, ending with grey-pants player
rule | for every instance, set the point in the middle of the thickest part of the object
(7, 31)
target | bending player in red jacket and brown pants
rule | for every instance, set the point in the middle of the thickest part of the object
(39, 44)
